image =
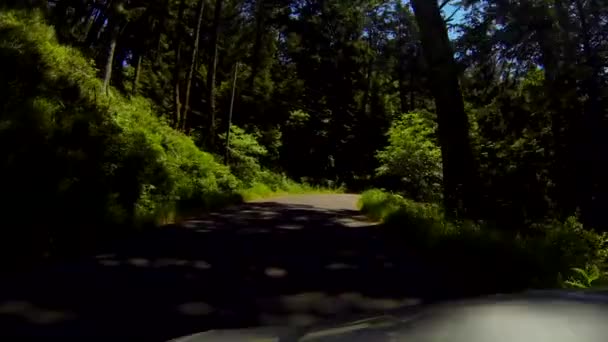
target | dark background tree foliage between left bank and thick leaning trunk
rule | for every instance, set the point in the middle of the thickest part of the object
(339, 86)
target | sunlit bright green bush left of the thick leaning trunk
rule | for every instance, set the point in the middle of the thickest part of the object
(413, 157)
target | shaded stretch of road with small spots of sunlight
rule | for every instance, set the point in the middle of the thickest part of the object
(258, 264)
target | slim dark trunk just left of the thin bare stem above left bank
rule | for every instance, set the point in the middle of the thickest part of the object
(212, 70)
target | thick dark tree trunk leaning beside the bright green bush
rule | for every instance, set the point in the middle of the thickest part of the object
(460, 184)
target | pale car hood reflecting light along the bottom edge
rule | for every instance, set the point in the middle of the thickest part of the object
(535, 316)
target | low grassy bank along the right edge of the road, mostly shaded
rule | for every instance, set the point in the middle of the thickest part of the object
(550, 254)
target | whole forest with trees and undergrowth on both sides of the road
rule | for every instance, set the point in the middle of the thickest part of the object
(483, 122)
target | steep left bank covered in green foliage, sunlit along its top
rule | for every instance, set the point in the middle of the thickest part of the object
(95, 161)
